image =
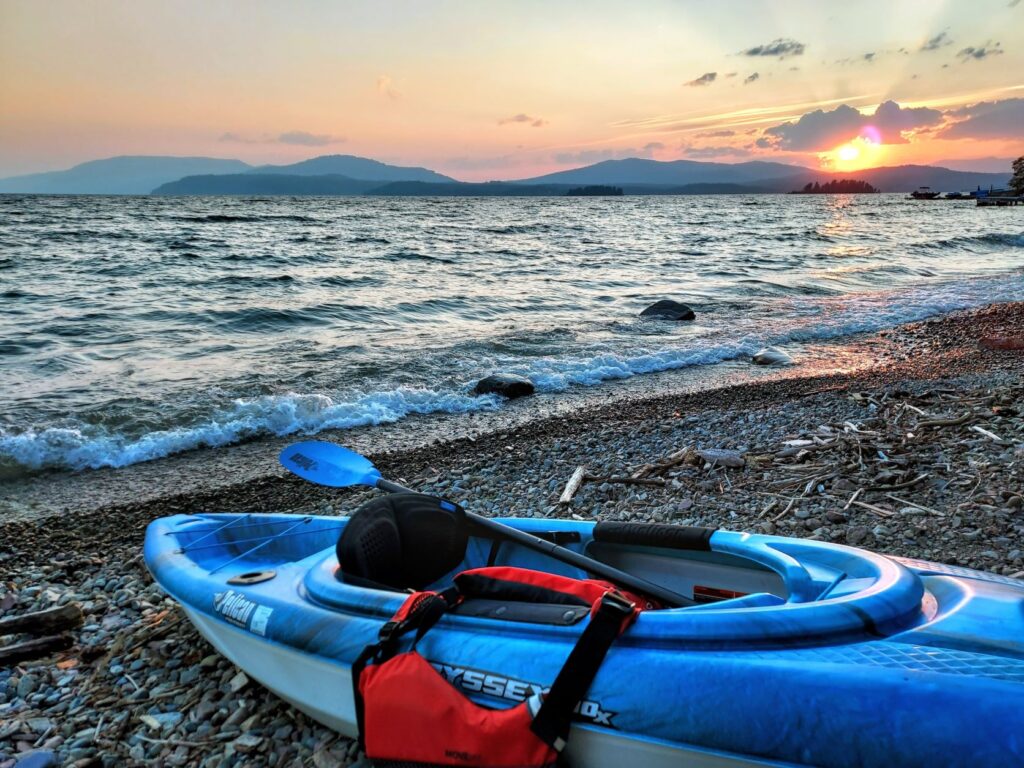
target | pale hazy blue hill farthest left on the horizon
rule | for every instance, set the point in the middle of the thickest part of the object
(121, 176)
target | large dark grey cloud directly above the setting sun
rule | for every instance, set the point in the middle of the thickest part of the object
(822, 131)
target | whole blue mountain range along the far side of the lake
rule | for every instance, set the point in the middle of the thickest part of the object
(348, 175)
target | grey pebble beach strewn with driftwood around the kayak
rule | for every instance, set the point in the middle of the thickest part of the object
(906, 459)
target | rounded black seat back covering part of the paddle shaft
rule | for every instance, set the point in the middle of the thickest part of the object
(403, 541)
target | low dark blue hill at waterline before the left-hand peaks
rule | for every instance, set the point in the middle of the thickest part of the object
(267, 184)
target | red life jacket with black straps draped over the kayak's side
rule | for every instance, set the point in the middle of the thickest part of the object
(409, 715)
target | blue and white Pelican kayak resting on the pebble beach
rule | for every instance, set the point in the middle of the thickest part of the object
(797, 653)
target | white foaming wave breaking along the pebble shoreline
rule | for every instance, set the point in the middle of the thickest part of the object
(805, 320)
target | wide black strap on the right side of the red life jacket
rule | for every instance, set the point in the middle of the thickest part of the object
(552, 722)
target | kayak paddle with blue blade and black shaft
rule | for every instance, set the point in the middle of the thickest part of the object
(335, 466)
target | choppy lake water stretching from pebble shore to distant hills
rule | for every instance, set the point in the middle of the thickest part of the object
(135, 328)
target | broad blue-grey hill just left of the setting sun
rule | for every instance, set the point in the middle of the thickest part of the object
(666, 174)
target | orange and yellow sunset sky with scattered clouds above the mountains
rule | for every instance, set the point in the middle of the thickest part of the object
(484, 91)
